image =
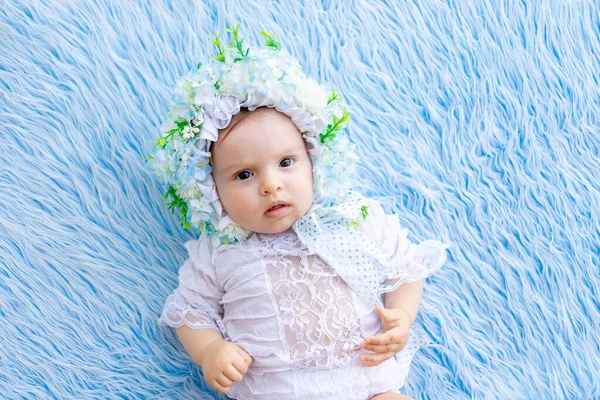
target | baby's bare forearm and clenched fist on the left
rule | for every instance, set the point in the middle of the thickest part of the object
(222, 362)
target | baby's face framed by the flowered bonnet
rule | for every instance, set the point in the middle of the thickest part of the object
(260, 164)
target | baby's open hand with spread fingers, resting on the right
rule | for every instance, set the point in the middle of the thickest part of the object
(396, 325)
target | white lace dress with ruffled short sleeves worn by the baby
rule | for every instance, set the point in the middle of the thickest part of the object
(293, 314)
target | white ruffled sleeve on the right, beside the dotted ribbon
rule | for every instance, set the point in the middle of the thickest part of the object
(408, 262)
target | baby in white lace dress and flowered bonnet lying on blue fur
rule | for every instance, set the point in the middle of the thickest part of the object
(298, 288)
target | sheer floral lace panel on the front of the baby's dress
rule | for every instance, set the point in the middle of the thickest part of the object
(316, 309)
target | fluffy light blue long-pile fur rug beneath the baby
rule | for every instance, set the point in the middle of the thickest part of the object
(477, 122)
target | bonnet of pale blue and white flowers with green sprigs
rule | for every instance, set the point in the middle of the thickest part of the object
(205, 100)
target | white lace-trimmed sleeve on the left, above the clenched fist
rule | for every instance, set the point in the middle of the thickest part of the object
(196, 301)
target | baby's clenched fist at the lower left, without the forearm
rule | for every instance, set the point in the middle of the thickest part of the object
(224, 363)
